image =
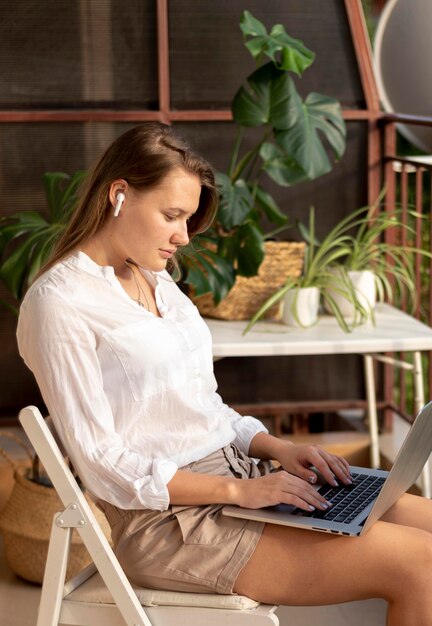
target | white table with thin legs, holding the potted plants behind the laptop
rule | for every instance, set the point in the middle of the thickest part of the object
(394, 331)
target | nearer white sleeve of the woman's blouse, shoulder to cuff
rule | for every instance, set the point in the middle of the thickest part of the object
(60, 349)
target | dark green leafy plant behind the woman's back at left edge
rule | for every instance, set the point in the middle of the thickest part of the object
(27, 238)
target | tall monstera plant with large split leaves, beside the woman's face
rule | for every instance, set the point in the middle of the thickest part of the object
(290, 148)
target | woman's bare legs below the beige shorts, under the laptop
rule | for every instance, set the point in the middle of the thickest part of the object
(391, 561)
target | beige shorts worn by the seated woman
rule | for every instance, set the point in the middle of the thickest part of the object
(188, 548)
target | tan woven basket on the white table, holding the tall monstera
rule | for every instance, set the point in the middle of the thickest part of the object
(282, 259)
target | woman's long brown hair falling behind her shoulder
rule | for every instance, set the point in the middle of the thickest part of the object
(142, 156)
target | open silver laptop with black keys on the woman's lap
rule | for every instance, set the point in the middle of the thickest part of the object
(357, 507)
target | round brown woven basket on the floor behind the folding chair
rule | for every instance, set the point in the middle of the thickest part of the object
(26, 520)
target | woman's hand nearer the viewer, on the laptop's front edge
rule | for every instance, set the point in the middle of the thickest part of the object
(279, 487)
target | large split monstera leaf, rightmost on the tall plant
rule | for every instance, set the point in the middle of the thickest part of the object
(304, 143)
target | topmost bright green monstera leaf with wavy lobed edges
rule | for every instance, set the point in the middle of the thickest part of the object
(286, 52)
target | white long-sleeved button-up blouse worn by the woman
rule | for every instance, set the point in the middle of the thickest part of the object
(133, 396)
